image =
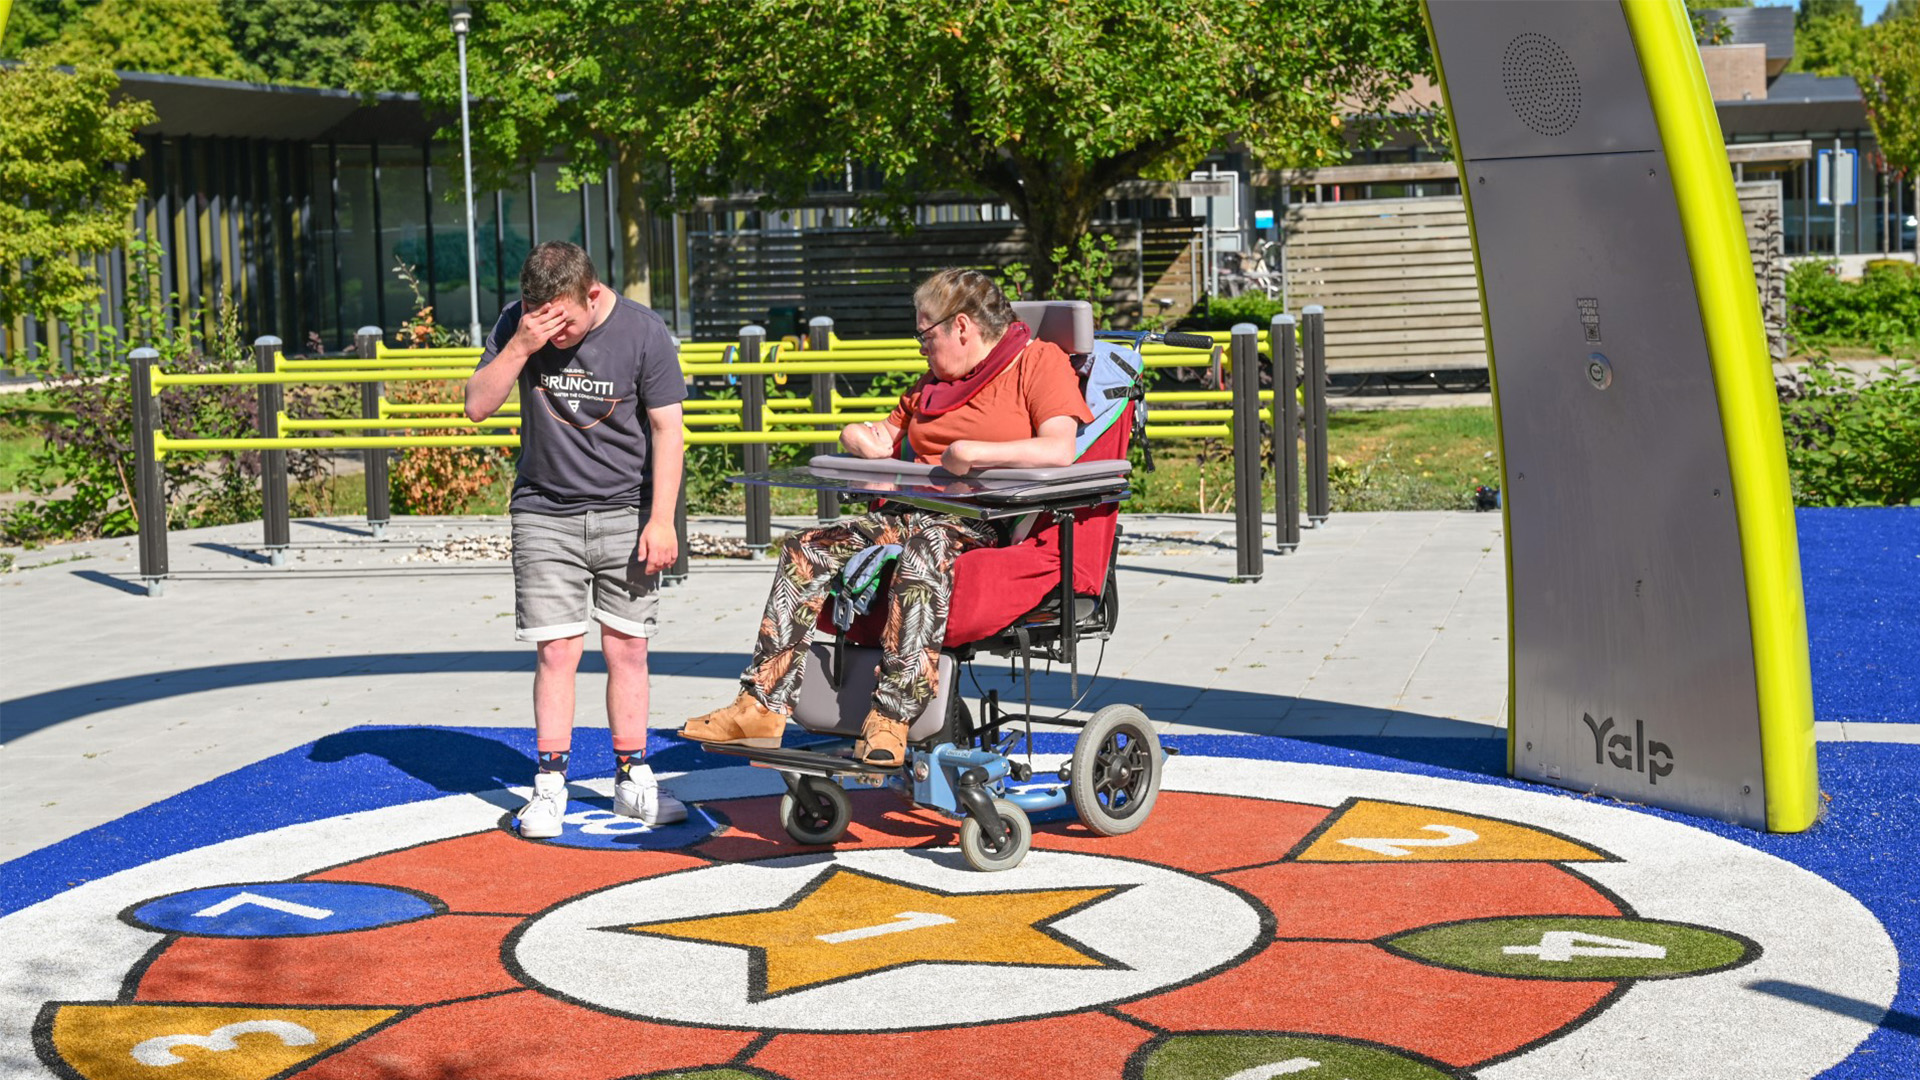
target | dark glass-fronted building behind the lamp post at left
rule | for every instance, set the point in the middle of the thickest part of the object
(300, 209)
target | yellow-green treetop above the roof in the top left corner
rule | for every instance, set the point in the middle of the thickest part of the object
(174, 37)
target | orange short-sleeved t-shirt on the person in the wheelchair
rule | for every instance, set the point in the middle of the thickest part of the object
(1038, 387)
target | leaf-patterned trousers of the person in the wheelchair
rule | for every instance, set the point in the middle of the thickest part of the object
(917, 604)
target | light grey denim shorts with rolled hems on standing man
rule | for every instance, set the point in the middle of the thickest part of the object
(571, 570)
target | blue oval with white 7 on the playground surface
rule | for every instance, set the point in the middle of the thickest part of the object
(281, 910)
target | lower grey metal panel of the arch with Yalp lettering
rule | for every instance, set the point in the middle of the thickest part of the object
(1629, 589)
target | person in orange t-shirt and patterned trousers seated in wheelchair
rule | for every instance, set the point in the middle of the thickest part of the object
(992, 399)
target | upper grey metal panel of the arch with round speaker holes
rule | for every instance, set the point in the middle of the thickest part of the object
(1529, 80)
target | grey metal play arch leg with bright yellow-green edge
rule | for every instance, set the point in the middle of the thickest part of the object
(1658, 635)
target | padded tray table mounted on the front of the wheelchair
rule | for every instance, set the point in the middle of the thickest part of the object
(984, 495)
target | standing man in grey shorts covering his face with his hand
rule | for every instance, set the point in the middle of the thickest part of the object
(592, 506)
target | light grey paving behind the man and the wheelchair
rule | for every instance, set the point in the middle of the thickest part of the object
(241, 660)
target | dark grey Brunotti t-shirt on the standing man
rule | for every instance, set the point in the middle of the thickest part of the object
(585, 437)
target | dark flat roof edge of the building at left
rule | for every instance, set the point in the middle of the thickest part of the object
(256, 110)
